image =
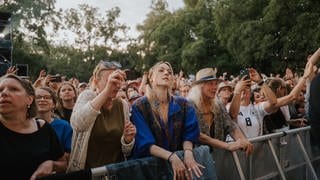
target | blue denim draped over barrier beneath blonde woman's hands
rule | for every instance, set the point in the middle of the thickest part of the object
(159, 169)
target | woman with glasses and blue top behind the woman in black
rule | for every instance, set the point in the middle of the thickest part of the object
(46, 100)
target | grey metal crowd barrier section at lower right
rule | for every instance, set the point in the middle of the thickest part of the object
(283, 155)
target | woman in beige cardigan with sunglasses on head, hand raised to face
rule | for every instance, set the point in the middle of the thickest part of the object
(102, 131)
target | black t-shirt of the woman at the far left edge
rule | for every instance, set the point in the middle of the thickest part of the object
(21, 154)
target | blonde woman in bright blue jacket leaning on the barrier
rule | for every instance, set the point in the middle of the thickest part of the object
(166, 123)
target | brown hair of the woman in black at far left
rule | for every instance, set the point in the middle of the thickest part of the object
(27, 86)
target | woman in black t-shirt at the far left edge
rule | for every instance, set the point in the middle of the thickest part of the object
(29, 147)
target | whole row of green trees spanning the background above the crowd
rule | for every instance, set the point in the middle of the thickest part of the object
(229, 34)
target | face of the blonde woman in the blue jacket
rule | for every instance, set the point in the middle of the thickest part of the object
(162, 75)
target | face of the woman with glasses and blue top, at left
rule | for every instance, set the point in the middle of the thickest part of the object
(44, 101)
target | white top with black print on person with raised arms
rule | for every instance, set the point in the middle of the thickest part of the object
(250, 119)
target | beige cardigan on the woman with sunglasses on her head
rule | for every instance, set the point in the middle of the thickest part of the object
(82, 120)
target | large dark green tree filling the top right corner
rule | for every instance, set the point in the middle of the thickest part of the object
(268, 34)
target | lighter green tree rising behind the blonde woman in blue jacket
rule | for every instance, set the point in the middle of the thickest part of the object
(185, 38)
